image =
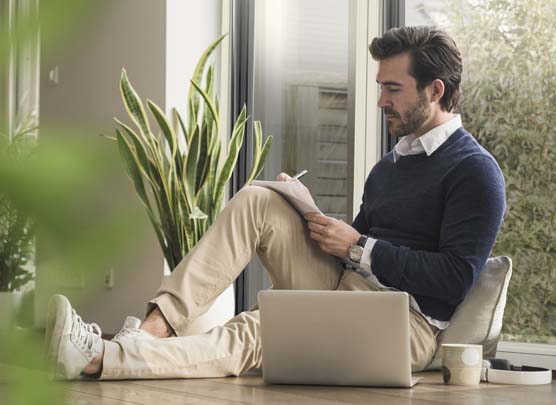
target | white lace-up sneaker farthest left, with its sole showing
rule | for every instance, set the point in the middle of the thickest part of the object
(71, 344)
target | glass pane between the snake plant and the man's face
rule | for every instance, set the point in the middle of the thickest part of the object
(301, 81)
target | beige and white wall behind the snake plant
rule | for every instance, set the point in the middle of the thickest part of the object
(158, 42)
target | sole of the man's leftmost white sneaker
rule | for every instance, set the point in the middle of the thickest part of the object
(58, 308)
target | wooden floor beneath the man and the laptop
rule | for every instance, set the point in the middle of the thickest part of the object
(252, 390)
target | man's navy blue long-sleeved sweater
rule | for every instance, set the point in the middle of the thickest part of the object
(435, 219)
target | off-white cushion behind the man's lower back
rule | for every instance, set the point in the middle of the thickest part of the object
(478, 319)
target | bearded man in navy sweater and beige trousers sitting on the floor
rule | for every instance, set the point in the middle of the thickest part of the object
(430, 214)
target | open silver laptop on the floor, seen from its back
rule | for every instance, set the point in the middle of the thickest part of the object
(356, 338)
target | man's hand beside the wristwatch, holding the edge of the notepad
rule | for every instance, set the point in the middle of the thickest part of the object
(333, 235)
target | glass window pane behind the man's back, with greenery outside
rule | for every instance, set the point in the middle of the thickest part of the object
(509, 90)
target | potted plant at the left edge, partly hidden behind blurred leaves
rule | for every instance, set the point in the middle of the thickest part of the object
(16, 230)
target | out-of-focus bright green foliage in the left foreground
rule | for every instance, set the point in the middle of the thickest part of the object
(63, 185)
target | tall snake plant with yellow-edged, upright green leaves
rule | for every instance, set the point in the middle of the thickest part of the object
(178, 173)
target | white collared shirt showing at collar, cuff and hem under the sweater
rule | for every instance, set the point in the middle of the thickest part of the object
(427, 143)
